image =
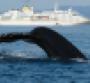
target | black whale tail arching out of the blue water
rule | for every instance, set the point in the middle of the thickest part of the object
(55, 45)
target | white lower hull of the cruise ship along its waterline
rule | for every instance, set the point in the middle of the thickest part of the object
(52, 23)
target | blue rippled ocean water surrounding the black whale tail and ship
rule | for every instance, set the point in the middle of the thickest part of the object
(40, 71)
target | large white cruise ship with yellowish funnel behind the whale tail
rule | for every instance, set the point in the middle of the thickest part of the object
(27, 16)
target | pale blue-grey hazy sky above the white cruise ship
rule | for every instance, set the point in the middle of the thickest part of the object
(14, 4)
